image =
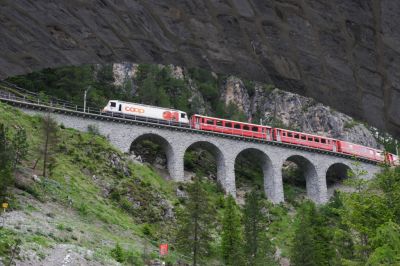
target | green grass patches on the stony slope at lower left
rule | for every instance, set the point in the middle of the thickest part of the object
(81, 179)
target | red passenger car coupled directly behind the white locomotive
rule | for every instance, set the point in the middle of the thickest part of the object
(231, 127)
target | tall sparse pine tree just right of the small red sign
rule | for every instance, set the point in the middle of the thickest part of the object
(196, 222)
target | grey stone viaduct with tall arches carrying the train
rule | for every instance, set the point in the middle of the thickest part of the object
(122, 133)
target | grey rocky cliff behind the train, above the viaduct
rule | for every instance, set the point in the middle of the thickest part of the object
(262, 103)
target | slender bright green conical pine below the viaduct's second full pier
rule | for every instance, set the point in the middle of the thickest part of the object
(231, 235)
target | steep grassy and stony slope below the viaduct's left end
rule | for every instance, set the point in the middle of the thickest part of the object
(93, 199)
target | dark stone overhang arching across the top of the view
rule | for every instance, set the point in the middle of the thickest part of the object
(343, 53)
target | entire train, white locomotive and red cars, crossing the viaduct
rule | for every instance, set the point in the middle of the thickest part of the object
(225, 126)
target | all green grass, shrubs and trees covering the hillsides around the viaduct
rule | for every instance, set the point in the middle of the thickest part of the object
(90, 193)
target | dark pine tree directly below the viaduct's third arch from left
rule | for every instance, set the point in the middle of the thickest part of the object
(257, 248)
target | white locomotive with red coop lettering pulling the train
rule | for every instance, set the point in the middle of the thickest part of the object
(126, 109)
